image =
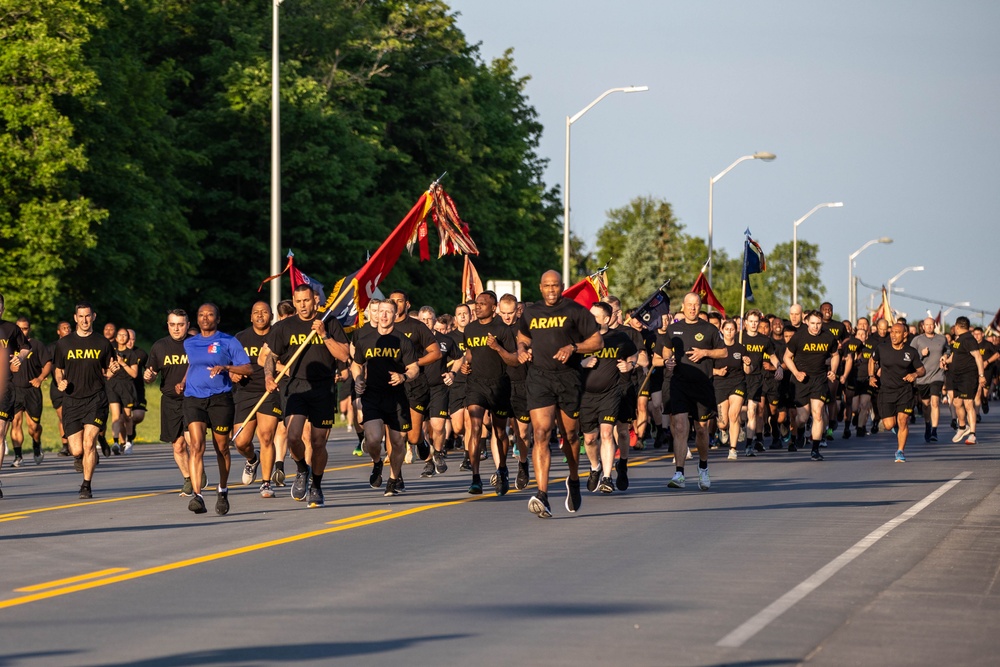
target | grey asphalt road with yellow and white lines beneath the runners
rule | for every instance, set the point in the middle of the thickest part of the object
(853, 560)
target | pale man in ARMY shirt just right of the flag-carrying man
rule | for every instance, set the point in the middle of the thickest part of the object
(382, 361)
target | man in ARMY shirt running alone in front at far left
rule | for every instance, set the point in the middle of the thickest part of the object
(83, 360)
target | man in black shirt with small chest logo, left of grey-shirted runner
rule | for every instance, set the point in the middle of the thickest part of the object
(898, 367)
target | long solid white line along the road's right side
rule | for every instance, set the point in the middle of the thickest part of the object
(763, 618)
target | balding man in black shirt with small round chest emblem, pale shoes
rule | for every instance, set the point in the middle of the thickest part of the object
(693, 345)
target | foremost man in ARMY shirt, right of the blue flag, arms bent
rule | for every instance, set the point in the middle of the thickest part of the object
(813, 359)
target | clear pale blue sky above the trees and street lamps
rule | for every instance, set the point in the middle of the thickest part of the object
(891, 107)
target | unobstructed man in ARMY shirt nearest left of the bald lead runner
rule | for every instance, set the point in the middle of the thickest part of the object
(489, 350)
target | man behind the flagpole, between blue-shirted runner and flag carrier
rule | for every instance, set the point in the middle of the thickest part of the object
(247, 390)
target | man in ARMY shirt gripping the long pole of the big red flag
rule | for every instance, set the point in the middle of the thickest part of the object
(308, 394)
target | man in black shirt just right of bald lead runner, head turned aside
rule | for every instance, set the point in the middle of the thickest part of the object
(604, 379)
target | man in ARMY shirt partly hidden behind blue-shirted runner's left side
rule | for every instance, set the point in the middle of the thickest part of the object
(168, 359)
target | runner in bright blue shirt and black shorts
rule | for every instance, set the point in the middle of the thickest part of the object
(208, 401)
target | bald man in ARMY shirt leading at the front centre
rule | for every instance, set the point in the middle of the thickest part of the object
(554, 332)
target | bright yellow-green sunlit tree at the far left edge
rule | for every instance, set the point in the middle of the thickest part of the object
(46, 223)
